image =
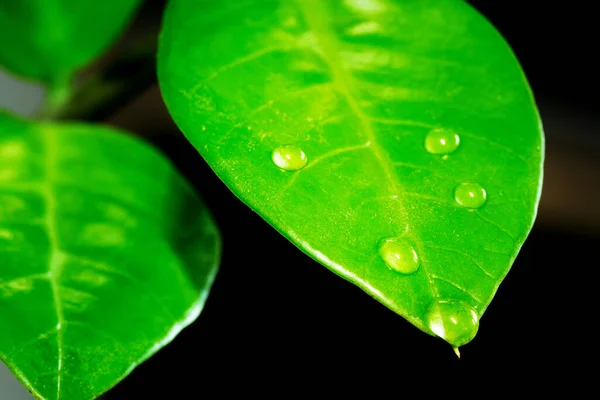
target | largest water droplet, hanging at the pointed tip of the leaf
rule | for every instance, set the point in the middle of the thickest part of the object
(453, 321)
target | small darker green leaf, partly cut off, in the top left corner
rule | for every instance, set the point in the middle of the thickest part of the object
(49, 40)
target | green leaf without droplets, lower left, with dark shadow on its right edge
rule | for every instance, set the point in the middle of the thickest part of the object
(106, 254)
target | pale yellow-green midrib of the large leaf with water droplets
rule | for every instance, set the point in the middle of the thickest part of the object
(315, 17)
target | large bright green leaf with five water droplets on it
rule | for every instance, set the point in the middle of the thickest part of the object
(395, 142)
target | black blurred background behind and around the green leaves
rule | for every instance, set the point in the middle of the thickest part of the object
(278, 323)
